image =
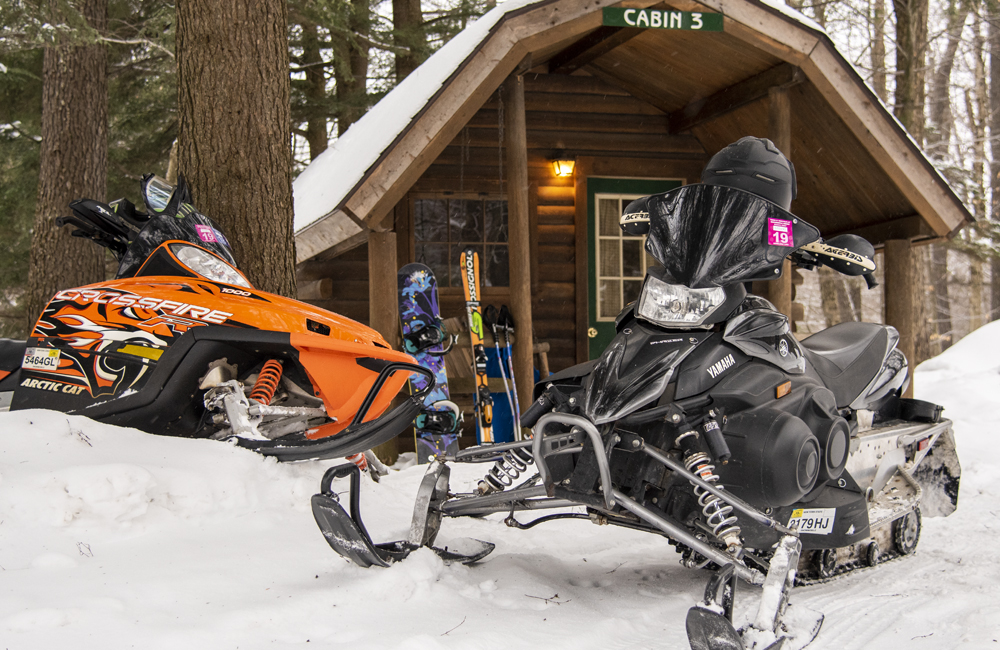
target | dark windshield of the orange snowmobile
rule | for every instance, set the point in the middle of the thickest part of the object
(187, 225)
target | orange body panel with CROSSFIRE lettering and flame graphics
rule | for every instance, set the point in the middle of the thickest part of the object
(142, 319)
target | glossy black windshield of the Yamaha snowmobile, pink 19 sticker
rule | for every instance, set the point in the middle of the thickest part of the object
(714, 236)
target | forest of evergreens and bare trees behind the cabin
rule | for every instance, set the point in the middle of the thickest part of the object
(934, 63)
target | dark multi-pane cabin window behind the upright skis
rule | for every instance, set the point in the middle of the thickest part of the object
(444, 227)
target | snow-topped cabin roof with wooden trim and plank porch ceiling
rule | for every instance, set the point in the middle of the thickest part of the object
(858, 169)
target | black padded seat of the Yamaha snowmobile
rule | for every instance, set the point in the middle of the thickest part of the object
(847, 357)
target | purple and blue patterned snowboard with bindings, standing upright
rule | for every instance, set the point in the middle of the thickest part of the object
(437, 427)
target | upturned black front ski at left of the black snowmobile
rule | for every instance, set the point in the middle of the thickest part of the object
(346, 533)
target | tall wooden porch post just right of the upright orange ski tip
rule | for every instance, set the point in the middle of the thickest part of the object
(516, 166)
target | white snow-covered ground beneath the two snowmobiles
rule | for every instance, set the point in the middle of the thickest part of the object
(110, 538)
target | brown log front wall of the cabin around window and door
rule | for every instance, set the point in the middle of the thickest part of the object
(566, 115)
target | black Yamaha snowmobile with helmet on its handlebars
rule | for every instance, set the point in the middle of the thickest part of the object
(757, 456)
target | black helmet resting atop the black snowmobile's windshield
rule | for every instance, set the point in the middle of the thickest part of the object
(754, 165)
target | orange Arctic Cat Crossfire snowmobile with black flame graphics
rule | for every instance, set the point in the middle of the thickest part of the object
(181, 344)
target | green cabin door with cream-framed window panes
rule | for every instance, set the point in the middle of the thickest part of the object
(617, 262)
